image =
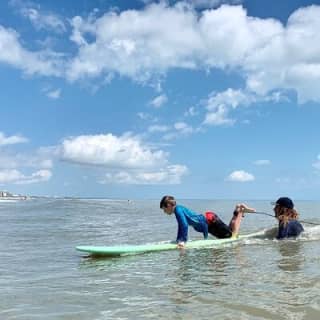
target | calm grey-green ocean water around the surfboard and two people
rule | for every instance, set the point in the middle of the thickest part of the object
(42, 276)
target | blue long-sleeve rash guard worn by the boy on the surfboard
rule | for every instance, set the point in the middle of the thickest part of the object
(185, 217)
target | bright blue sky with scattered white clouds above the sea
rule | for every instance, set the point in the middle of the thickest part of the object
(200, 99)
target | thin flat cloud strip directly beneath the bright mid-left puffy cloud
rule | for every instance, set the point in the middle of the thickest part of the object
(168, 175)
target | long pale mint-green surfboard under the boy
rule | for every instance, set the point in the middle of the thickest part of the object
(123, 250)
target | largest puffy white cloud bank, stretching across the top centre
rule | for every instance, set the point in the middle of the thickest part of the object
(165, 37)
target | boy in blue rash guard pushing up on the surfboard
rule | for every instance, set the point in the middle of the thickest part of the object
(208, 223)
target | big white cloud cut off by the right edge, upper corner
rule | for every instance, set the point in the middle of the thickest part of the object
(291, 59)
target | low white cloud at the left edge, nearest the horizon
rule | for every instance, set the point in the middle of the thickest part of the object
(13, 176)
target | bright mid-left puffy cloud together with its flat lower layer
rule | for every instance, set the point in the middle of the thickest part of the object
(127, 159)
